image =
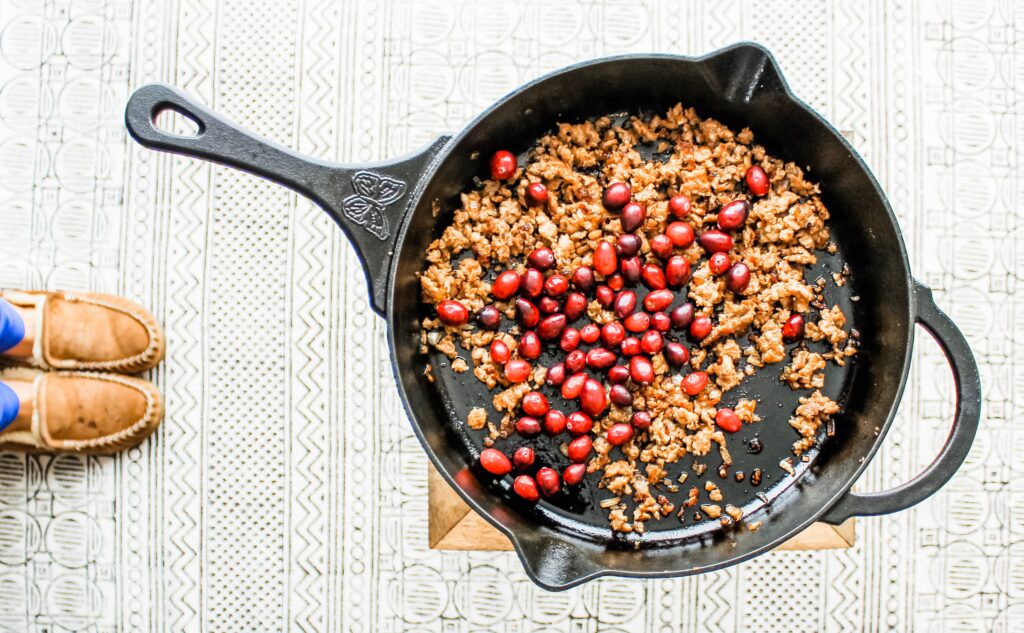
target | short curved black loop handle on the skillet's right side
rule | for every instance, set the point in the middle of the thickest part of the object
(968, 385)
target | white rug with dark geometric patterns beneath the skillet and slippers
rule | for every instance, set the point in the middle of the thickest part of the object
(286, 490)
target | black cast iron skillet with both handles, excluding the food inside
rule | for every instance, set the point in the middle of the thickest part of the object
(387, 212)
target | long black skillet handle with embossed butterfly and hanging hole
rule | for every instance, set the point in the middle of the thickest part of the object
(369, 202)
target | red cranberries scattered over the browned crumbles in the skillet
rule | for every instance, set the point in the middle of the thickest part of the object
(547, 304)
